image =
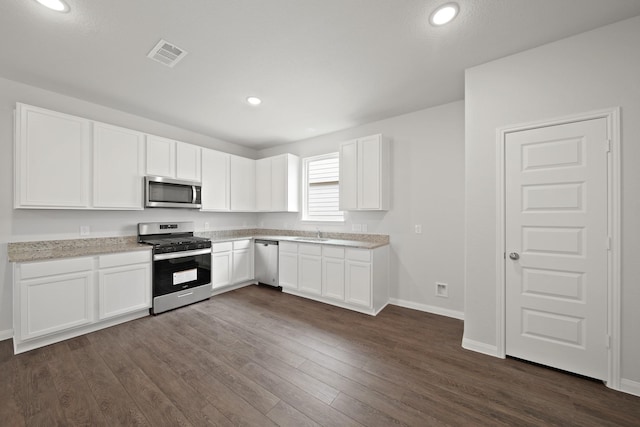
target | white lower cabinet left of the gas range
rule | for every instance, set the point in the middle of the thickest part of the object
(60, 299)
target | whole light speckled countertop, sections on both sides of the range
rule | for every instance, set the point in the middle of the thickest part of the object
(57, 249)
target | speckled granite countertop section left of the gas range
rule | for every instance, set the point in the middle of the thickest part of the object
(57, 249)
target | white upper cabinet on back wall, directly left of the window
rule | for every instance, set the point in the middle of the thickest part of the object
(277, 183)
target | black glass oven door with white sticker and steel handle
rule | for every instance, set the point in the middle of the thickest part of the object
(177, 271)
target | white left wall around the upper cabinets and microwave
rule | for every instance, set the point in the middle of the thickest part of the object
(26, 224)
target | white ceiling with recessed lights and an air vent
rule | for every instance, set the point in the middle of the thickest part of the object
(318, 65)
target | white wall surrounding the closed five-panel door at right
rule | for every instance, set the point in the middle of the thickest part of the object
(592, 71)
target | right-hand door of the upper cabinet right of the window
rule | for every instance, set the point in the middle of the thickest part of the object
(369, 170)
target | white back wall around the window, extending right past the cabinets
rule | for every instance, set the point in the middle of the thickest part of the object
(427, 188)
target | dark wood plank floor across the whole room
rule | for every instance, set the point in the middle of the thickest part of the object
(260, 358)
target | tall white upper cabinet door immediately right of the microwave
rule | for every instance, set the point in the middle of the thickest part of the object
(215, 181)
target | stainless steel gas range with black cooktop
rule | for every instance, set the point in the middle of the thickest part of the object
(181, 264)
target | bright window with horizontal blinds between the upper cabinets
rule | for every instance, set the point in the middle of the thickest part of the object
(320, 189)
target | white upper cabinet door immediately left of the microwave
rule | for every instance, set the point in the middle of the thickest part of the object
(118, 158)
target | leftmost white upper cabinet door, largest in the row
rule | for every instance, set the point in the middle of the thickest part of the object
(52, 168)
